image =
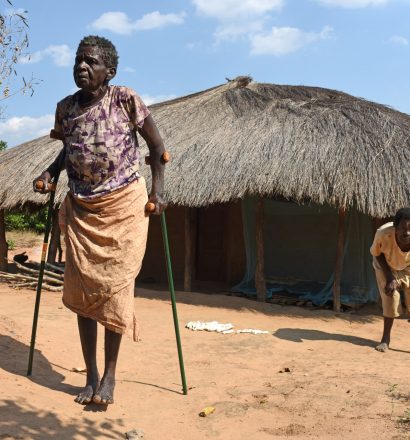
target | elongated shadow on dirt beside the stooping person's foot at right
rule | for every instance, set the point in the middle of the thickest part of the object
(301, 334)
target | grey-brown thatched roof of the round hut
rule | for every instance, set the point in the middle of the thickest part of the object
(247, 138)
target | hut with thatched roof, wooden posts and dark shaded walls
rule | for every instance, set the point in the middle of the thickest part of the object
(243, 153)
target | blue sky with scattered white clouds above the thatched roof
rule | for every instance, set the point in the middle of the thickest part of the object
(169, 49)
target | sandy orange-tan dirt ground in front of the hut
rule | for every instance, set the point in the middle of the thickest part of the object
(314, 376)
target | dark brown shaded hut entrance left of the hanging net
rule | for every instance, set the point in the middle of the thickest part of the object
(217, 256)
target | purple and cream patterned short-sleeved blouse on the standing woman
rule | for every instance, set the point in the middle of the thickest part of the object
(101, 142)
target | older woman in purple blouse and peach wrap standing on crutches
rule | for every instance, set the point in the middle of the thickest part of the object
(102, 217)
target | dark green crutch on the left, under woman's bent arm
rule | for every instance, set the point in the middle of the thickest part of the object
(51, 187)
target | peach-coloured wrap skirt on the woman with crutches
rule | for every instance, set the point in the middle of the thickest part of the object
(105, 241)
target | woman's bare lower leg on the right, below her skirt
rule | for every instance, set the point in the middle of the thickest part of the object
(105, 393)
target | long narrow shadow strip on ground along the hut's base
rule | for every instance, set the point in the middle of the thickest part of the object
(367, 314)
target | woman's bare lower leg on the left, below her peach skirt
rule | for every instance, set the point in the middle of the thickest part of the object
(88, 336)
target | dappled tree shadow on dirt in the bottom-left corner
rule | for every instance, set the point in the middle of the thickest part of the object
(20, 420)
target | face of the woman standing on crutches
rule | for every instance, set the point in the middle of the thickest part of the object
(90, 71)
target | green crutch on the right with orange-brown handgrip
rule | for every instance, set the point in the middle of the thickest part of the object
(150, 207)
